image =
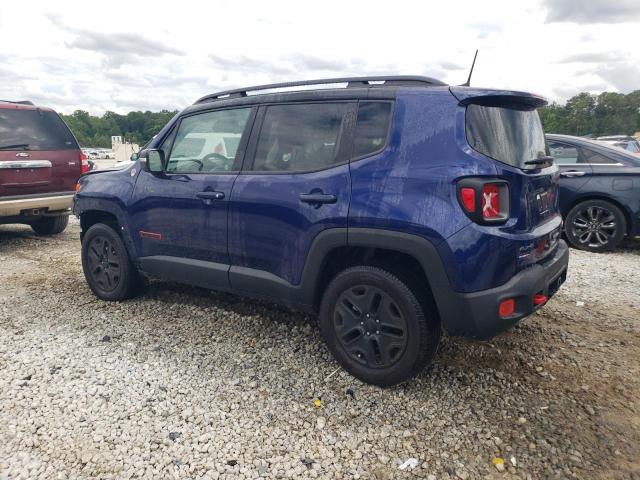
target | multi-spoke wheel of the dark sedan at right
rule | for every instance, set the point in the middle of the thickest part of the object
(595, 226)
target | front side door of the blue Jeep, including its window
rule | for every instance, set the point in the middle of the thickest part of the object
(181, 213)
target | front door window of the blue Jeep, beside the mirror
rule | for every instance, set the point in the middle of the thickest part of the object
(207, 142)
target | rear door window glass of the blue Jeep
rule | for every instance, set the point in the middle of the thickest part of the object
(299, 137)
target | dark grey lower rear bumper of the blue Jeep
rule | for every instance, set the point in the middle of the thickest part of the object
(476, 314)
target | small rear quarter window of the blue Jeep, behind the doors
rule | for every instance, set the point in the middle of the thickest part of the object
(372, 128)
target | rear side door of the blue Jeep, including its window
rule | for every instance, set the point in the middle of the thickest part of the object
(295, 184)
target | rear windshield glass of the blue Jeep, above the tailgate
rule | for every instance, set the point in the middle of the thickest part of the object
(510, 134)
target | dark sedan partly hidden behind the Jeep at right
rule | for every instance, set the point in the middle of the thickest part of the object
(599, 192)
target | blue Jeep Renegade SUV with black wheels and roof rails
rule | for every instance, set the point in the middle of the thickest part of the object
(393, 207)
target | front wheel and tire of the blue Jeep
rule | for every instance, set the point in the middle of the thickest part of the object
(106, 264)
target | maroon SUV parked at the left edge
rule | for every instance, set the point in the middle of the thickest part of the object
(40, 163)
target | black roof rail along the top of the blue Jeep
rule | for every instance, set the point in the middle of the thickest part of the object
(398, 80)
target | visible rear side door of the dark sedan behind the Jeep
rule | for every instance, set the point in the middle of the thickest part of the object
(574, 172)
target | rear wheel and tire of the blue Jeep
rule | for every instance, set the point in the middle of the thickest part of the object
(376, 327)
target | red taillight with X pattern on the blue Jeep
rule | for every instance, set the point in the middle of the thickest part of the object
(484, 200)
